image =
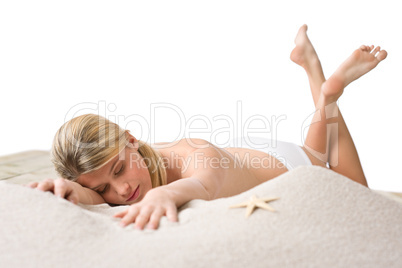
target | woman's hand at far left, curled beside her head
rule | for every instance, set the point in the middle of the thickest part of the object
(59, 187)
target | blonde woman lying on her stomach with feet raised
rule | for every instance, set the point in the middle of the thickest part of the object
(100, 162)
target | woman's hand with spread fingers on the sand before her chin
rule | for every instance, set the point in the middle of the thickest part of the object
(156, 203)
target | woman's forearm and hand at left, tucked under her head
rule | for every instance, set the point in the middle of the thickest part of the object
(69, 190)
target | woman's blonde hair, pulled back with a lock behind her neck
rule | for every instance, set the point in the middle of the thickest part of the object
(88, 142)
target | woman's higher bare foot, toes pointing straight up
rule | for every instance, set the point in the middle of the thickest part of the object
(304, 53)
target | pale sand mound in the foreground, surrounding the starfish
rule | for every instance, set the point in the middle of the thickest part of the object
(322, 220)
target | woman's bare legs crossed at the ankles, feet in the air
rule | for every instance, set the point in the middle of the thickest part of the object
(328, 138)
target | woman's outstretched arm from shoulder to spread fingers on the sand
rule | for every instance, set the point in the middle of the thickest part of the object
(204, 173)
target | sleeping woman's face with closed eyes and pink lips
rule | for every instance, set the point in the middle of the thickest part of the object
(124, 180)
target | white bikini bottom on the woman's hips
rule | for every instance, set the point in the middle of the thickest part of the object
(290, 154)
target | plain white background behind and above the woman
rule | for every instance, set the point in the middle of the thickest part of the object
(207, 58)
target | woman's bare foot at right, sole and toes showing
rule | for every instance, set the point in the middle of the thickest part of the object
(359, 63)
